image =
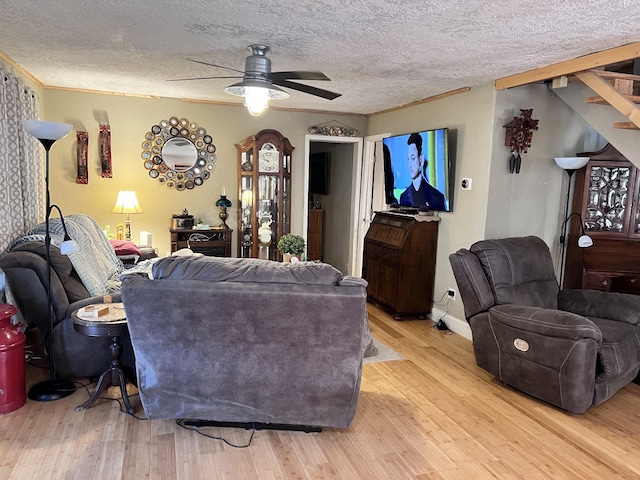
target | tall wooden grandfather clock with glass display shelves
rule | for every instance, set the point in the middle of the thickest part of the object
(264, 197)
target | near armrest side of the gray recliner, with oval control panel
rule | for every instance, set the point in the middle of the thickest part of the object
(546, 353)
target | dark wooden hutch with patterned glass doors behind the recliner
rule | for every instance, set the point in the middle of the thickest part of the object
(606, 197)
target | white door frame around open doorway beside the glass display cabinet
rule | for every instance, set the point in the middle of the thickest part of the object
(355, 190)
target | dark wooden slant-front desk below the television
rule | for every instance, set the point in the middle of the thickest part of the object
(399, 262)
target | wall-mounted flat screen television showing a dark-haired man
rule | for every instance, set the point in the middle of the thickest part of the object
(418, 171)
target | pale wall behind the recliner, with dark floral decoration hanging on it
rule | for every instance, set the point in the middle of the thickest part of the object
(533, 201)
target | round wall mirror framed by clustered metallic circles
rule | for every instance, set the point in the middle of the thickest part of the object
(178, 153)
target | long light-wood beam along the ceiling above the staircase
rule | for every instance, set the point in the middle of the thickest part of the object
(587, 62)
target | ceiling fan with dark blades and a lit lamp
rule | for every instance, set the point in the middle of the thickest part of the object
(259, 83)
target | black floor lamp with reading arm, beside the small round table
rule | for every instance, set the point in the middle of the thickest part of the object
(52, 389)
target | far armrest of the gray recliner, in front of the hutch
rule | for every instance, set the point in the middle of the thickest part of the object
(608, 305)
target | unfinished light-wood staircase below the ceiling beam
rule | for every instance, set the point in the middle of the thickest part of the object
(615, 89)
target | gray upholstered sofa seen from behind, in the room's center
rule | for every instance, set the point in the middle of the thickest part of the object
(248, 340)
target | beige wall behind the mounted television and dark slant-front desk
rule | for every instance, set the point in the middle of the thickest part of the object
(469, 116)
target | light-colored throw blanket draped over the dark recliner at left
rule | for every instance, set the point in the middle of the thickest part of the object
(95, 260)
